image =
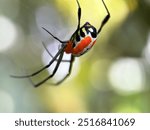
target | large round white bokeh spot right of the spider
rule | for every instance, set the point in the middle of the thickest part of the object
(126, 76)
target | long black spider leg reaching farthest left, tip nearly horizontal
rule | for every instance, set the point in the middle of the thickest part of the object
(60, 52)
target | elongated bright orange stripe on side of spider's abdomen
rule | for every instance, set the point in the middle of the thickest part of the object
(82, 45)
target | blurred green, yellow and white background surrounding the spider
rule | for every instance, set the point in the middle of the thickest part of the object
(112, 77)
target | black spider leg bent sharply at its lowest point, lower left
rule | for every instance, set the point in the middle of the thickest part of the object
(53, 73)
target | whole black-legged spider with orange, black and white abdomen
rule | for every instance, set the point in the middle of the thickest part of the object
(81, 41)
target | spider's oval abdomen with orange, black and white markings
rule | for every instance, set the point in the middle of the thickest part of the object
(82, 40)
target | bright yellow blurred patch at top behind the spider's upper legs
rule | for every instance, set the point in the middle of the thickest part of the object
(93, 10)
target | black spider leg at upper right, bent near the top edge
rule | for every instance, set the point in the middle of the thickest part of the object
(105, 20)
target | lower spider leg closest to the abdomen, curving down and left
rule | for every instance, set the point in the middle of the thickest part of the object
(69, 71)
